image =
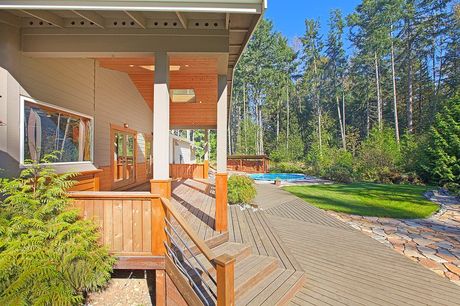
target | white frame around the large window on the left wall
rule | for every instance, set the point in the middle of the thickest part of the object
(23, 100)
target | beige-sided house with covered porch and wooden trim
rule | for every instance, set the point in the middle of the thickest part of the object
(104, 82)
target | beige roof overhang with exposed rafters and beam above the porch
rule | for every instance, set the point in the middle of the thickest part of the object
(57, 28)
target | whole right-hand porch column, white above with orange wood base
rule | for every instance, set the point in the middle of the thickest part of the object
(221, 175)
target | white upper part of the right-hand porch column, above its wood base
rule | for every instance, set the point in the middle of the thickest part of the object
(222, 125)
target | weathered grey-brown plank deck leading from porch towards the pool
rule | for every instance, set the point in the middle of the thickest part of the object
(340, 264)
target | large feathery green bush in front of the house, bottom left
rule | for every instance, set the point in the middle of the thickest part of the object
(48, 254)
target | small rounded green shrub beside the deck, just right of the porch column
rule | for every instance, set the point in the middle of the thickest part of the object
(241, 189)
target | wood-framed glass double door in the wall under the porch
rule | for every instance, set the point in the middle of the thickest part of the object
(124, 158)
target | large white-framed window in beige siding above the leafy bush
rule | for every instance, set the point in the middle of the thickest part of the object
(47, 129)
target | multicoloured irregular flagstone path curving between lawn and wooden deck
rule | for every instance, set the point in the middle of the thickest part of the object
(433, 242)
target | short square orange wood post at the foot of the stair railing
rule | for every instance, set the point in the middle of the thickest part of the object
(225, 268)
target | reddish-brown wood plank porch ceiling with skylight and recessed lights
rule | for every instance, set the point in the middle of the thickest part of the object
(186, 72)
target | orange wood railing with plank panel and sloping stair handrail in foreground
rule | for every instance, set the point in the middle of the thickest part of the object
(136, 225)
